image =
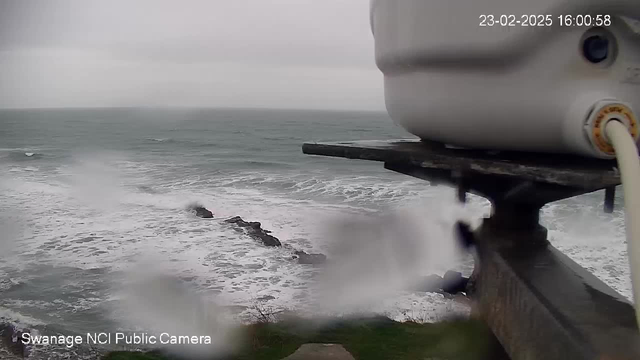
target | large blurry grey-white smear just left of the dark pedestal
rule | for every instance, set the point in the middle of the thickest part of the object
(373, 257)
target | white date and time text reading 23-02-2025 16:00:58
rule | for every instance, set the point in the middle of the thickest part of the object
(544, 20)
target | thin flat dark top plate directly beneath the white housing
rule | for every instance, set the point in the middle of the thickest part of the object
(553, 169)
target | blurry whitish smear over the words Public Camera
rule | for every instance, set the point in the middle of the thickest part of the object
(174, 316)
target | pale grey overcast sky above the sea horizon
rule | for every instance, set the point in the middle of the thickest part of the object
(231, 53)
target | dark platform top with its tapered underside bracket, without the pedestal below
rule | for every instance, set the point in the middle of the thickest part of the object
(525, 178)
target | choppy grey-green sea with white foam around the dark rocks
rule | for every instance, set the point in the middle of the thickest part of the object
(87, 196)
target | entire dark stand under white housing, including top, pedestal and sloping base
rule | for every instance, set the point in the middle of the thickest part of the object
(539, 303)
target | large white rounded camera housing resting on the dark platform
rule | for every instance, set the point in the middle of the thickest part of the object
(508, 86)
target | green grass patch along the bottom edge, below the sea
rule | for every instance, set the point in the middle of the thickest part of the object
(366, 339)
